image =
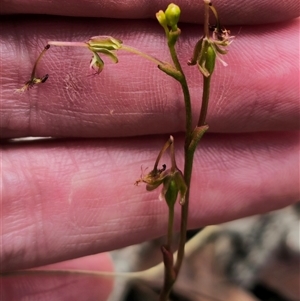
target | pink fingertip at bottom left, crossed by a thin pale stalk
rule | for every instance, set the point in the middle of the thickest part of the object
(54, 286)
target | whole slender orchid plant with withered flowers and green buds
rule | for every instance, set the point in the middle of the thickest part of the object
(175, 183)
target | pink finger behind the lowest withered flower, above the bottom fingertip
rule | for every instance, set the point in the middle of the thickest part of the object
(68, 199)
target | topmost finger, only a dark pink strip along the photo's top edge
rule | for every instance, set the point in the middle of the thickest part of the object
(231, 12)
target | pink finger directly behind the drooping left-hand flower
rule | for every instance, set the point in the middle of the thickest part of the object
(257, 91)
